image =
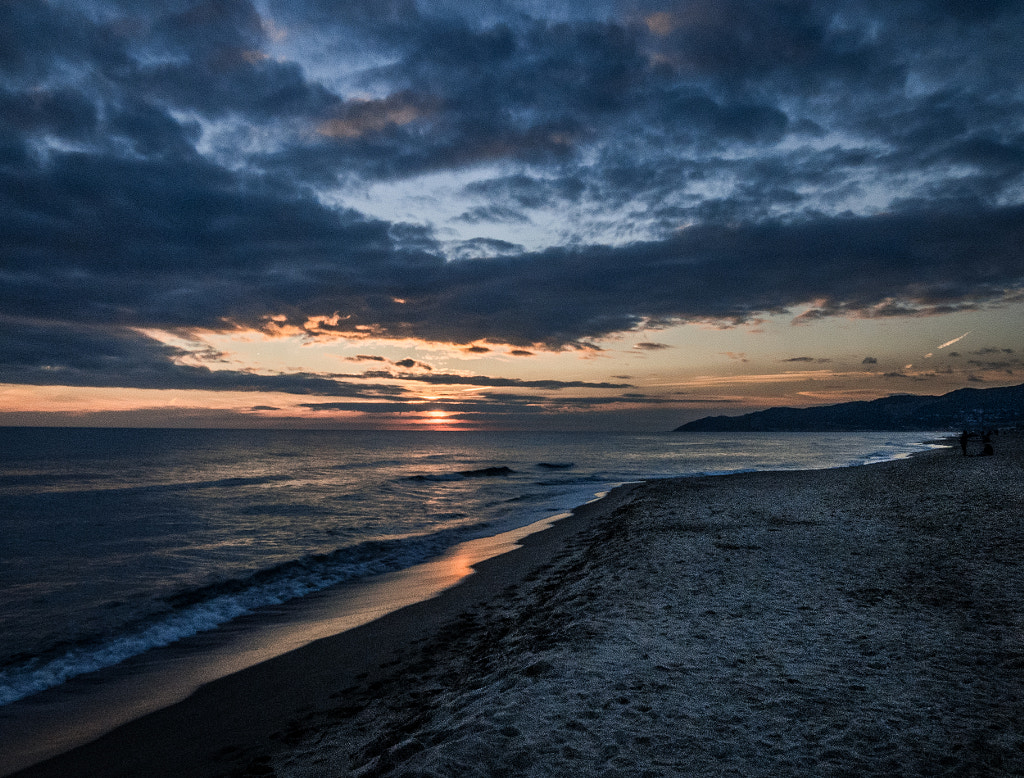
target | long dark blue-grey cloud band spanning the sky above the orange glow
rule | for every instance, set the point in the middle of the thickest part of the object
(245, 256)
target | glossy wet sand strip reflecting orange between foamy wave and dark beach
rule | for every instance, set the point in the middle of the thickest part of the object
(87, 708)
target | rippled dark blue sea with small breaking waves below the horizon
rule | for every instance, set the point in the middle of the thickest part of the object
(115, 542)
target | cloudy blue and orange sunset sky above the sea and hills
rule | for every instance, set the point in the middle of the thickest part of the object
(504, 214)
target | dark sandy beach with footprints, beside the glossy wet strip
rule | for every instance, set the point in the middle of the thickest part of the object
(859, 622)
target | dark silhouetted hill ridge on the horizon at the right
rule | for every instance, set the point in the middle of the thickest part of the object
(963, 409)
